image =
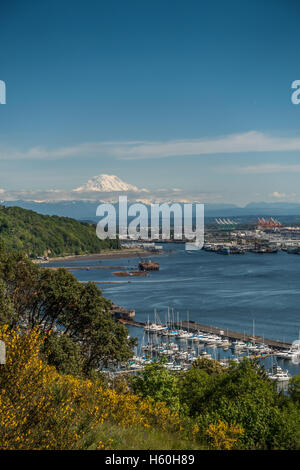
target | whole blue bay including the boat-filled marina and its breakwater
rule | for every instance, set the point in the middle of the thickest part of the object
(239, 306)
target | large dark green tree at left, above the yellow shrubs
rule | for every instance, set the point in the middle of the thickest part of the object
(75, 317)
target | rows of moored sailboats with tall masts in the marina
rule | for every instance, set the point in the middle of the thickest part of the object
(182, 343)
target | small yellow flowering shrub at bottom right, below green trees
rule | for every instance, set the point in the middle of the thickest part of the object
(223, 435)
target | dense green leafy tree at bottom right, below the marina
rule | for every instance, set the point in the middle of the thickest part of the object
(242, 395)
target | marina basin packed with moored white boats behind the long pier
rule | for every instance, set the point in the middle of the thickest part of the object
(179, 349)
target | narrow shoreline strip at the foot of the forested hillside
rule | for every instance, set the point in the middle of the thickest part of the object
(111, 254)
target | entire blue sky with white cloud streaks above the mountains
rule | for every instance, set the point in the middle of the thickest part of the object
(165, 94)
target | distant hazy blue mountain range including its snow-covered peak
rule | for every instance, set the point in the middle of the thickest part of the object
(81, 202)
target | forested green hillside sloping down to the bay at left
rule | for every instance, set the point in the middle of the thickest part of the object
(39, 235)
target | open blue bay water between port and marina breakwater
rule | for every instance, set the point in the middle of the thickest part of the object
(222, 291)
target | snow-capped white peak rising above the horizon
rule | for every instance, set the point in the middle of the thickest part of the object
(106, 183)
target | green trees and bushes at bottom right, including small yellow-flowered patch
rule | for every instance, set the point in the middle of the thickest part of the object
(237, 406)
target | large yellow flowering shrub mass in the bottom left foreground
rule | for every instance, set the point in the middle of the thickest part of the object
(41, 409)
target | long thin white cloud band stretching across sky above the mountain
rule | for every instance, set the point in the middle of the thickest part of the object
(252, 141)
